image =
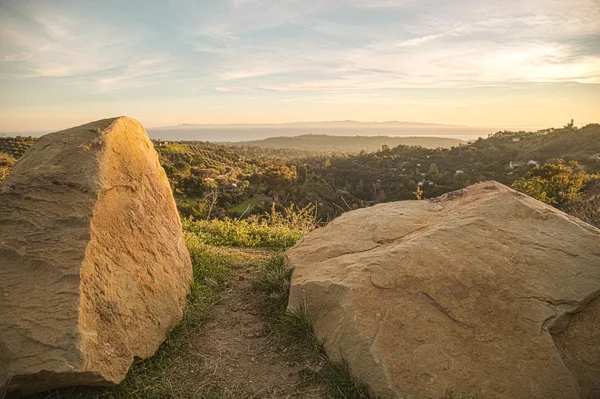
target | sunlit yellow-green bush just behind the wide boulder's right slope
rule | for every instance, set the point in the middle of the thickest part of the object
(556, 184)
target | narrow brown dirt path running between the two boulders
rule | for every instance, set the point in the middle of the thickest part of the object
(235, 356)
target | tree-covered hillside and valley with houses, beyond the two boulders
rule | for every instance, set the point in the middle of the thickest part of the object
(217, 180)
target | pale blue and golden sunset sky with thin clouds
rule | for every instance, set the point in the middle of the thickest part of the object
(501, 63)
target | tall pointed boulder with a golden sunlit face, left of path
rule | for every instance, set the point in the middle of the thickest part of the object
(94, 271)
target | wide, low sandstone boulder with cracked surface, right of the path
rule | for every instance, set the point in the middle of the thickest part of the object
(481, 291)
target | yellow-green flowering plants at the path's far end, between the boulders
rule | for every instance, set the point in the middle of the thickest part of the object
(272, 230)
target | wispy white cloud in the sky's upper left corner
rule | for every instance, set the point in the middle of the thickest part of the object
(49, 41)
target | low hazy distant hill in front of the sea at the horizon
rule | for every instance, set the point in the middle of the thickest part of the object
(350, 144)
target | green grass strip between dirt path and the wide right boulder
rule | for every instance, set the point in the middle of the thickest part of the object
(296, 328)
